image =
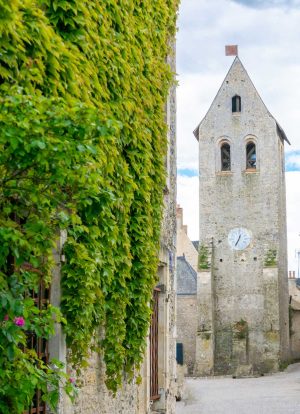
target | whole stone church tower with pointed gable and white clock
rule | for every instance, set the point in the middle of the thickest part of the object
(243, 296)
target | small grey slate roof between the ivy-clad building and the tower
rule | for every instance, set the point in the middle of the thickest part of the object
(186, 277)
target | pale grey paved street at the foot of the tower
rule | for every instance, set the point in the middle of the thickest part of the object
(273, 394)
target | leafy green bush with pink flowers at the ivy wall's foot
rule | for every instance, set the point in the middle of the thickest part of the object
(22, 371)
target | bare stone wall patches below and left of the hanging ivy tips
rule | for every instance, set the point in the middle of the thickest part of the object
(93, 396)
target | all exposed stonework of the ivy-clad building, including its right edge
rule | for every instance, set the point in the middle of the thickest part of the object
(158, 388)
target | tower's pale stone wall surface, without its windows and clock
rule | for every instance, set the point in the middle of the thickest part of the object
(242, 289)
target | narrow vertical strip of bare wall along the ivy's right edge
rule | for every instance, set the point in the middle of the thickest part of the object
(167, 272)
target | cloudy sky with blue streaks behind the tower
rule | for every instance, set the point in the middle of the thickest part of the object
(267, 33)
